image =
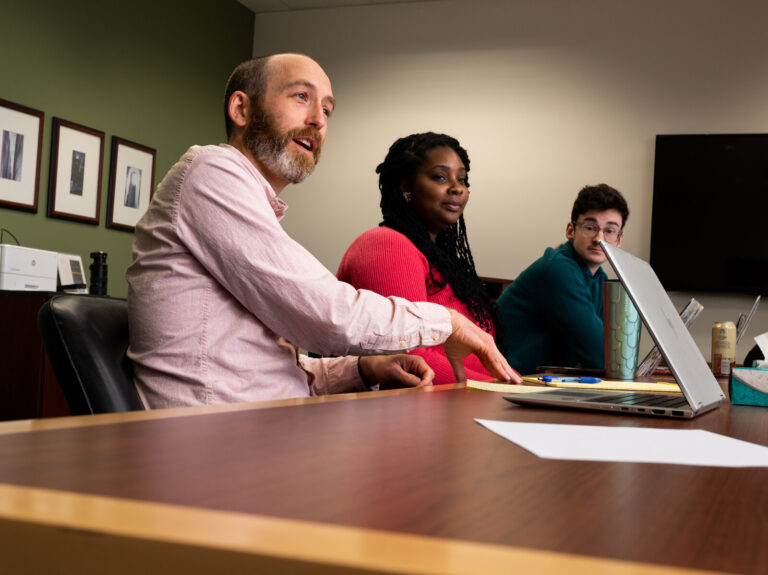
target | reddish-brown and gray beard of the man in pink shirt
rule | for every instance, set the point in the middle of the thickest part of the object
(271, 149)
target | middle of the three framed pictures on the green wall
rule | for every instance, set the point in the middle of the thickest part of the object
(74, 187)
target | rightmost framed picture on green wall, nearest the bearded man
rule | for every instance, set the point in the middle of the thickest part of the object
(131, 183)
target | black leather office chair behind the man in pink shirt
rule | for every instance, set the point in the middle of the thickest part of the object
(85, 338)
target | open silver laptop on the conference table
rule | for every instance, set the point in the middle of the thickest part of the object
(701, 392)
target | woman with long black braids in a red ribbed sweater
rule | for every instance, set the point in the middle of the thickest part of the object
(420, 251)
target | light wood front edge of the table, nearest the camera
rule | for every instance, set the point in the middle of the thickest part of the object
(304, 546)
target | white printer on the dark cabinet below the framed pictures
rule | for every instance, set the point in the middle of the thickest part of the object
(27, 269)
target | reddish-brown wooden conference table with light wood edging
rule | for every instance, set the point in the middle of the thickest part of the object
(384, 482)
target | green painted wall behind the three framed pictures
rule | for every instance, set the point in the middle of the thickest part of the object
(149, 71)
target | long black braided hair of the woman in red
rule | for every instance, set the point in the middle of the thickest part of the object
(449, 254)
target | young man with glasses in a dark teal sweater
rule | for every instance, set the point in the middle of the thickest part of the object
(553, 312)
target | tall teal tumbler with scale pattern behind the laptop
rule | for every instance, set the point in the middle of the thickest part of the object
(621, 325)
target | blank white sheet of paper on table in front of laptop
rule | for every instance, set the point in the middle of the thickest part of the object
(630, 444)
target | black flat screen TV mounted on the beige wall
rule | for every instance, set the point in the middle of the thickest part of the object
(709, 227)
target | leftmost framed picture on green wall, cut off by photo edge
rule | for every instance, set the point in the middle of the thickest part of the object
(21, 141)
